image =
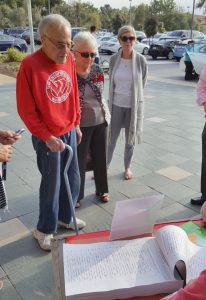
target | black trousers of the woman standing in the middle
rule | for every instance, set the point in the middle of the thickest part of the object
(93, 141)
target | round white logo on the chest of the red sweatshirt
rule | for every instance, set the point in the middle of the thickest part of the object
(58, 86)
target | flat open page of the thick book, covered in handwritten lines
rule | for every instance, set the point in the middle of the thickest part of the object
(113, 265)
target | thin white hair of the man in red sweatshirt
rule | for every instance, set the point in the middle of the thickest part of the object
(53, 20)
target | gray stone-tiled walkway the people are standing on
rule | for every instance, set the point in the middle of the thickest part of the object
(168, 162)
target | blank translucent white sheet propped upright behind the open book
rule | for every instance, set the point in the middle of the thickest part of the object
(134, 217)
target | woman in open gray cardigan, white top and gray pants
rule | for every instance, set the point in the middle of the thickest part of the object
(128, 75)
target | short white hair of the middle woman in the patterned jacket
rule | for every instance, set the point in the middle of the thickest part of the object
(84, 37)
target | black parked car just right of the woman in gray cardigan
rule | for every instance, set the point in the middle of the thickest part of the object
(163, 48)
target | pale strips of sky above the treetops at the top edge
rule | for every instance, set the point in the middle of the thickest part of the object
(186, 4)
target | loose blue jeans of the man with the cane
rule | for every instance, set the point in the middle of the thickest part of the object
(53, 198)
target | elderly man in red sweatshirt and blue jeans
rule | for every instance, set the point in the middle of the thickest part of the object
(48, 103)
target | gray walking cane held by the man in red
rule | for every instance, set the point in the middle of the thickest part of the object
(68, 187)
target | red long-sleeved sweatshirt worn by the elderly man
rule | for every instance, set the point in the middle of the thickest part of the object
(47, 95)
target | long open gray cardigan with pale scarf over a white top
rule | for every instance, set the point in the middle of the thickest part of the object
(139, 69)
